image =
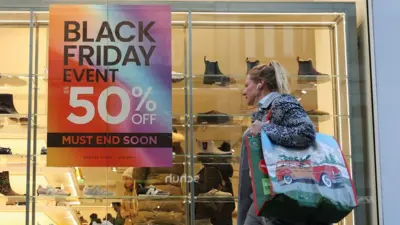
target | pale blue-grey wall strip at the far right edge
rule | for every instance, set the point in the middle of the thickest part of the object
(385, 15)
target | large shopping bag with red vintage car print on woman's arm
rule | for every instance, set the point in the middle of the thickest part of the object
(311, 184)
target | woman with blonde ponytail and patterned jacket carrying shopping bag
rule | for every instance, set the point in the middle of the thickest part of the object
(266, 87)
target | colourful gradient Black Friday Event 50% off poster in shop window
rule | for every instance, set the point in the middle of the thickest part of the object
(109, 86)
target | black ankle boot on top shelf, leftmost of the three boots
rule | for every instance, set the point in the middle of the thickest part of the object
(213, 74)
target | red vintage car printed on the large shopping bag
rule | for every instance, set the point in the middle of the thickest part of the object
(289, 171)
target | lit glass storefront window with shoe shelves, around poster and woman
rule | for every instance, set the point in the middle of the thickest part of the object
(213, 47)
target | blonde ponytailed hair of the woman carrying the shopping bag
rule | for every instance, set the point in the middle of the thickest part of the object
(274, 76)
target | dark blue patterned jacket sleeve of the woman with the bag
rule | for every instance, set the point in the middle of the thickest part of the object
(289, 124)
